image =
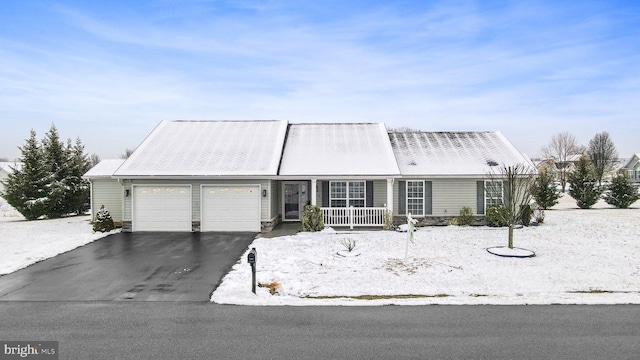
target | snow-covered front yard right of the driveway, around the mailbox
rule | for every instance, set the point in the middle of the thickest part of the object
(582, 257)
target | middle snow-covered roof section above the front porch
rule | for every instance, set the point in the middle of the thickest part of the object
(360, 149)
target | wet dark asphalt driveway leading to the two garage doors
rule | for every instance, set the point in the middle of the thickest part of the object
(131, 267)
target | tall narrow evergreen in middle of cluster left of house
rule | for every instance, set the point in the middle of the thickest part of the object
(55, 156)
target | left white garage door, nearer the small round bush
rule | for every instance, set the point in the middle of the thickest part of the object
(161, 208)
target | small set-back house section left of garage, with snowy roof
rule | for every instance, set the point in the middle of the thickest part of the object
(106, 191)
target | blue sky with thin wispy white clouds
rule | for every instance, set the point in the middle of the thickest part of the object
(109, 71)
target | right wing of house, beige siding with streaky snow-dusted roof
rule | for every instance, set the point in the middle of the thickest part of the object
(442, 172)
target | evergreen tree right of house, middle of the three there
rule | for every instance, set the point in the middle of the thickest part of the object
(584, 185)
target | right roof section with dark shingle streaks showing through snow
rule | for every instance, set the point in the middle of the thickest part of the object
(454, 153)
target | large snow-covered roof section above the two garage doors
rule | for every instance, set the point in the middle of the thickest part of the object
(208, 148)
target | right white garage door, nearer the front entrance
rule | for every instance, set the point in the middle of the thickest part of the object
(231, 208)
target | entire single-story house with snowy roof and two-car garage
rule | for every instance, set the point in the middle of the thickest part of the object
(251, 175)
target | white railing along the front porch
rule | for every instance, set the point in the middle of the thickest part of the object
(354, 216)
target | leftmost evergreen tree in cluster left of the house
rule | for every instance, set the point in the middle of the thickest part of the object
(26, 188)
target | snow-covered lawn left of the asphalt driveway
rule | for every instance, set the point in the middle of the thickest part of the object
(23, 243)
